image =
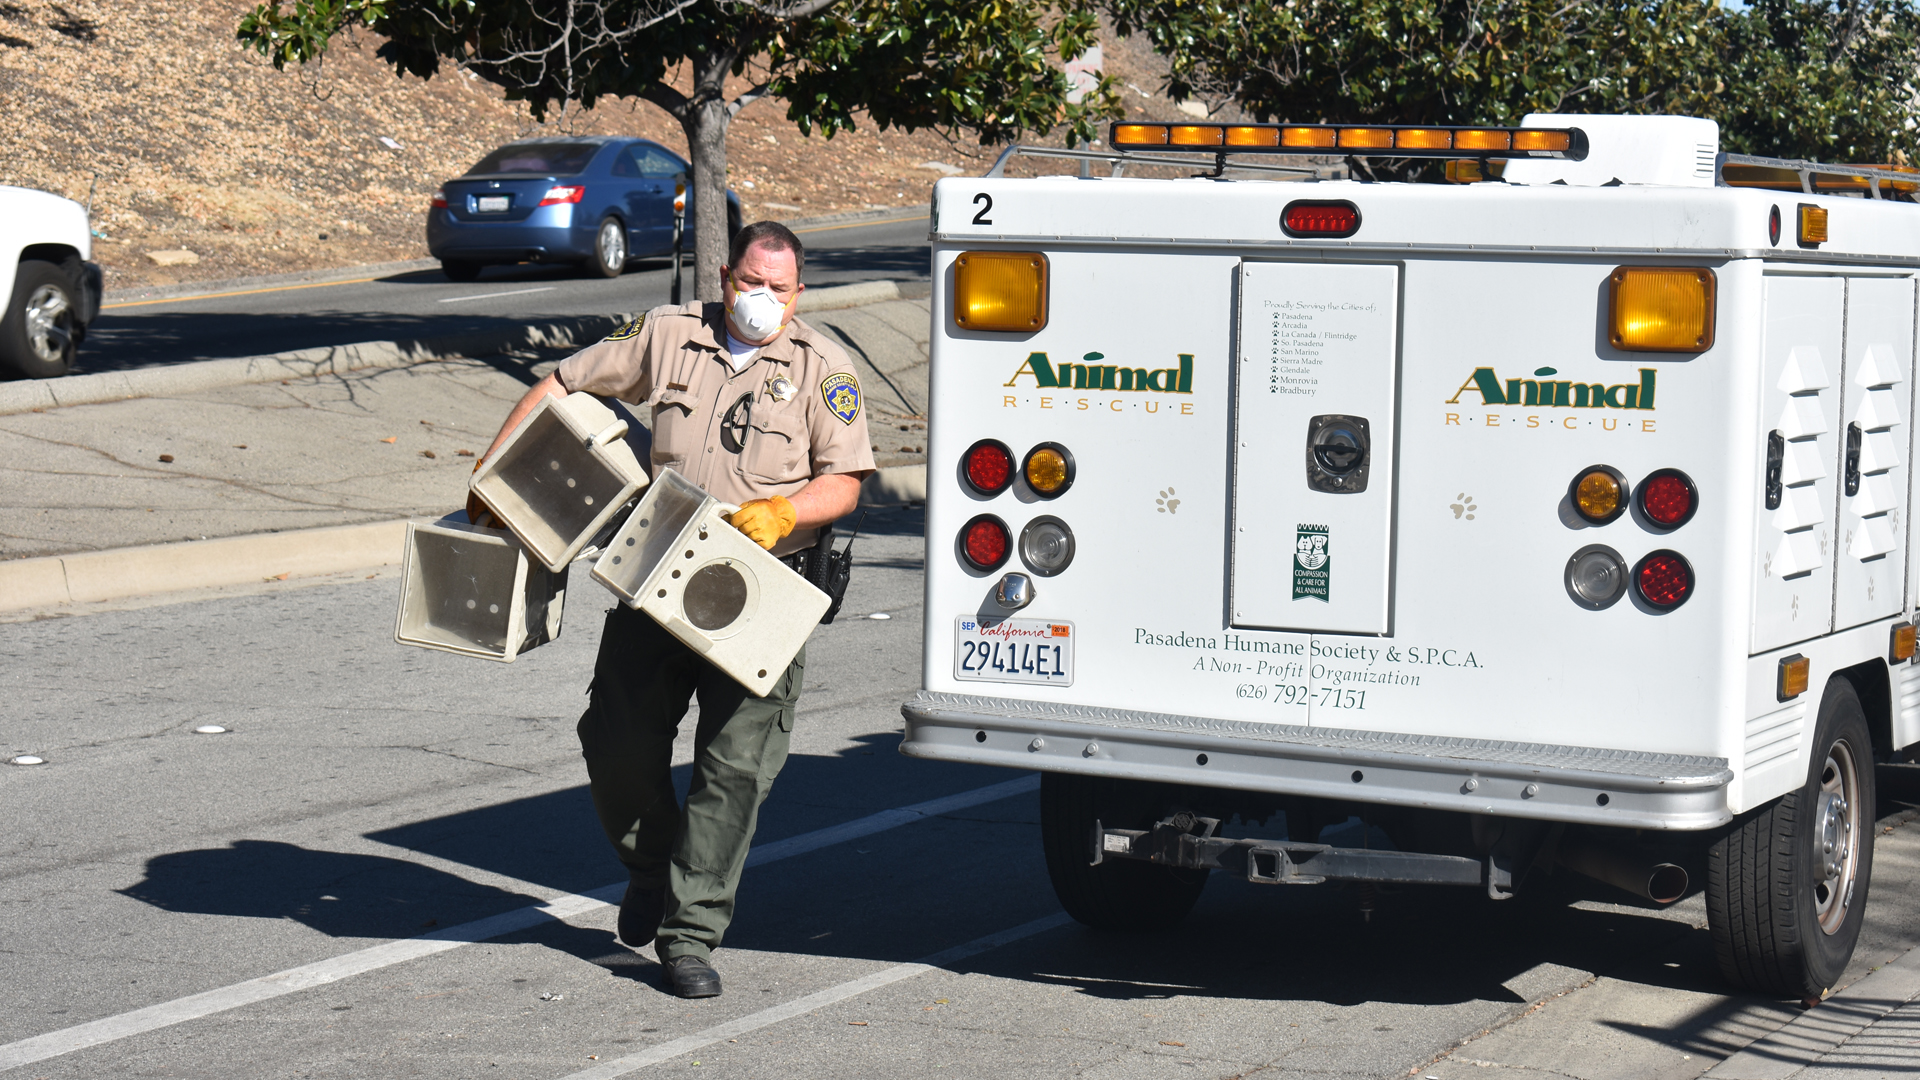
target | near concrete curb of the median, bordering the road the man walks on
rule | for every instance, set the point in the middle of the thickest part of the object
(124, 574)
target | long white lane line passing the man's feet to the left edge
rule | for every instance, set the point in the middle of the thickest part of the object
(562, 908)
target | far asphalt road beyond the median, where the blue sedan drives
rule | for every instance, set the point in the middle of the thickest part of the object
(421, 305)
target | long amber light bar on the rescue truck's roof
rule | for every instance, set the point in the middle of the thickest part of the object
(1353, 141)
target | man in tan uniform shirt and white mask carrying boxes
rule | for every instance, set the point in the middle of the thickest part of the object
(773, 422)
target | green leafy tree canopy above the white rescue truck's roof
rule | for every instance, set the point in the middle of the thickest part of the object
(1829, 80)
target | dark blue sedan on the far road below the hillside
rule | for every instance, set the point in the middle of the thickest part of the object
(590, 201)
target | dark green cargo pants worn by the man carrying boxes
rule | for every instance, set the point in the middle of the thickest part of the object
(642, 683)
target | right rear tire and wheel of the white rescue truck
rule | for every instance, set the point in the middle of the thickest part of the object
(1787, 883)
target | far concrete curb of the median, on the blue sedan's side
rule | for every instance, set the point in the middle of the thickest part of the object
(571, 331)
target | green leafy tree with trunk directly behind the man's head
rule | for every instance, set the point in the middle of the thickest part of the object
(990, 68)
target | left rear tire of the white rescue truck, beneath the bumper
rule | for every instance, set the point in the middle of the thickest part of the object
(1118, 895)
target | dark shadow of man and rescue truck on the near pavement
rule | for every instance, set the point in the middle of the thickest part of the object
(915, 891)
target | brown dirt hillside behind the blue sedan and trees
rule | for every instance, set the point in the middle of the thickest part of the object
(191, 143)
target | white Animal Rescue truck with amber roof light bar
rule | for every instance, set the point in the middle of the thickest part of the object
(1550, 518)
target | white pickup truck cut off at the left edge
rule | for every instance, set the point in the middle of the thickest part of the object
(51, 291)
